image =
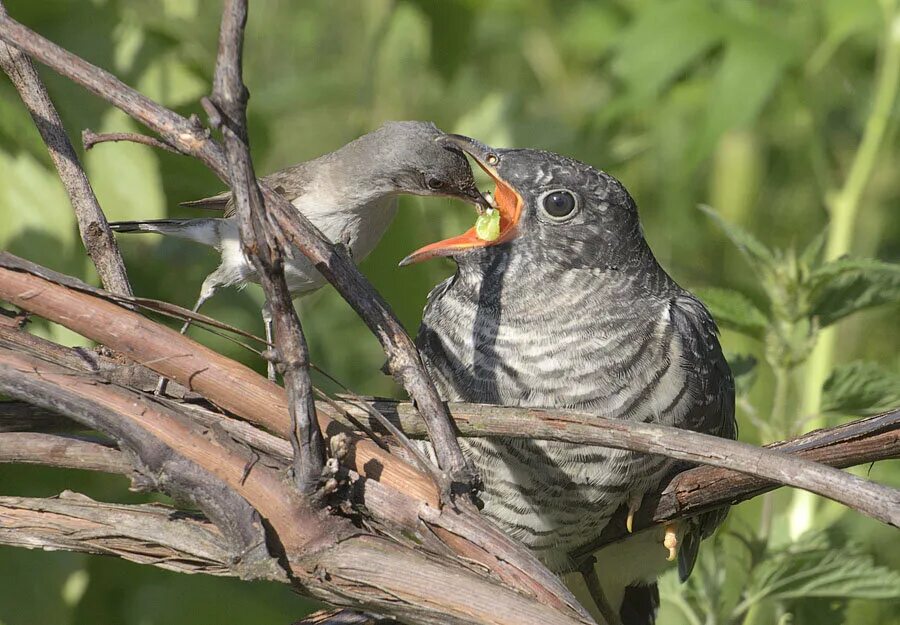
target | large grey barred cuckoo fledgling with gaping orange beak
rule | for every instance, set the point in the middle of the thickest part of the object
(568, 308)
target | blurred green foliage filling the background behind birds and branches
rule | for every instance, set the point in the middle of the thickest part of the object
(756, 109)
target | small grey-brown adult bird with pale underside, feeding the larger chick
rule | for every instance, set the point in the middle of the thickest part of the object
(350, 195)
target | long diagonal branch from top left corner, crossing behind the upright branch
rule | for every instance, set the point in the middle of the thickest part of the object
(331, 261)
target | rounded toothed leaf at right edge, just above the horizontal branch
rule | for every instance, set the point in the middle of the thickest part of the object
(861, 388)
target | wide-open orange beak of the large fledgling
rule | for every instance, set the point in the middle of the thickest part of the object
(508, 202)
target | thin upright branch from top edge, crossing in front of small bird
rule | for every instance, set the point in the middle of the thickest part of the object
(264, 248)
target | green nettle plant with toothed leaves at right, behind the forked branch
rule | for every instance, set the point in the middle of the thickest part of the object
(757, 576)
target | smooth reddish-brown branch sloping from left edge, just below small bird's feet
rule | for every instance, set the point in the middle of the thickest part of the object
(224, 382)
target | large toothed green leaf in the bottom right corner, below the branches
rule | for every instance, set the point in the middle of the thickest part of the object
(813, 567)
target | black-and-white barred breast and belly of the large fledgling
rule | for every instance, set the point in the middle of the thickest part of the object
(556, 496)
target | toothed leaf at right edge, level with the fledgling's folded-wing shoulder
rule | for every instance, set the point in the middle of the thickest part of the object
(847, 285)
